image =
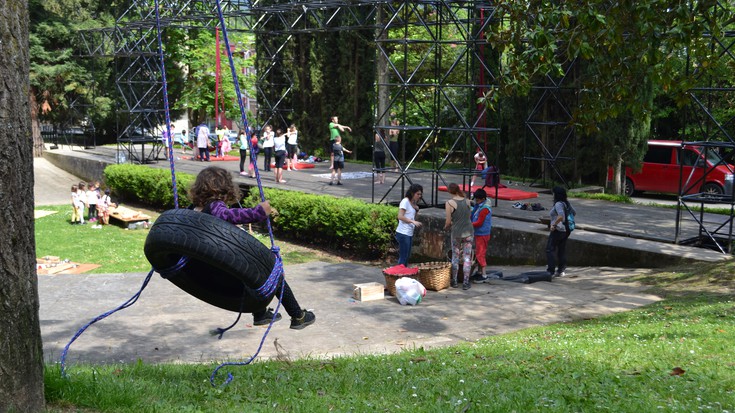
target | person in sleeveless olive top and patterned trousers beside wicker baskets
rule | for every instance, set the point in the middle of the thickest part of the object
(458, 214)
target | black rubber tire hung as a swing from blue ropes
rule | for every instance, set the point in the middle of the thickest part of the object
(225, 264)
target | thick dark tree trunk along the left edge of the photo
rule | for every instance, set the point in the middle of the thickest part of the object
(21, 351)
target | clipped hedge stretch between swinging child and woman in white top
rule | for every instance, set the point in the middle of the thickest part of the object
(354, 225)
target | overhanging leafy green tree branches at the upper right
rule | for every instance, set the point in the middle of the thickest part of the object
(629, 51)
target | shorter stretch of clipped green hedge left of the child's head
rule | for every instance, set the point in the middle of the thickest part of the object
(150, 186)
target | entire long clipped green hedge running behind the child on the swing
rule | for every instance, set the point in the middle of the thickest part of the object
(350, 224)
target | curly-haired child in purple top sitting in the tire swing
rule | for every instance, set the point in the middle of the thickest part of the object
(211, 192)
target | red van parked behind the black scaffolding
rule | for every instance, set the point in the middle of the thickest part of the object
(660, 170)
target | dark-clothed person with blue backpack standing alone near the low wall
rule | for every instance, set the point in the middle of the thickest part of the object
(556, 245)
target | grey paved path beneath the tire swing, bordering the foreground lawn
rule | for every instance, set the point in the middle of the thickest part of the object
(167, 325)
